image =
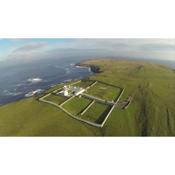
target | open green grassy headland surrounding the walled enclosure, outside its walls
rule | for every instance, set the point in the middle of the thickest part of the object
(151, 112)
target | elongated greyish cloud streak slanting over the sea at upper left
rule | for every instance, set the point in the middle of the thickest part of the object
(30, 47)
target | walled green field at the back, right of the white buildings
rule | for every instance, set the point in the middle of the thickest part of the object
(104, 91)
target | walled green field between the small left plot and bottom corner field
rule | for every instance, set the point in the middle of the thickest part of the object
(76, 105)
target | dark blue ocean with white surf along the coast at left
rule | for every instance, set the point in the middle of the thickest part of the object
(16, 81)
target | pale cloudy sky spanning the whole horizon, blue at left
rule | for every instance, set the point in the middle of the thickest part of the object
(34, 49)
